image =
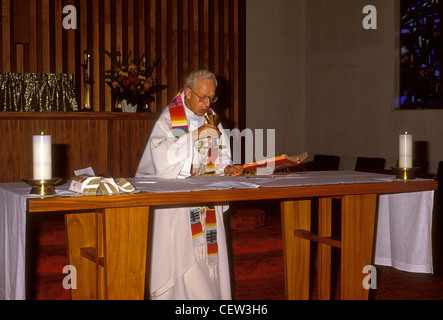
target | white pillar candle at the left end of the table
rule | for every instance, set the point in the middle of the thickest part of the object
(42, 157)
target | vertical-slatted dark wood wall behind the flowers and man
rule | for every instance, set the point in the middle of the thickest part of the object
(188, 34)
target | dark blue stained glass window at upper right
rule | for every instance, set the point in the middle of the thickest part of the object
(420, 82)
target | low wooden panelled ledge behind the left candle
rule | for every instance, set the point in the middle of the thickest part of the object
(111, 143)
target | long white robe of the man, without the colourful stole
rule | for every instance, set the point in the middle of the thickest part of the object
(176, 271)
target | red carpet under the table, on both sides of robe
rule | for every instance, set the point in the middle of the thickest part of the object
(256, 246)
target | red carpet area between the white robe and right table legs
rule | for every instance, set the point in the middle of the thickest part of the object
(257, 255)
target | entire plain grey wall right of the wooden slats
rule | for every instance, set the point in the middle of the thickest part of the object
(344, 102)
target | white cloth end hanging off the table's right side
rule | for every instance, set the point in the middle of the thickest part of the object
(404, 231)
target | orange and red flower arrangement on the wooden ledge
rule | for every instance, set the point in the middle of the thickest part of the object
(132, 81)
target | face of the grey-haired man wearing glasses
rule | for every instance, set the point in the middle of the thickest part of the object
(197, 98)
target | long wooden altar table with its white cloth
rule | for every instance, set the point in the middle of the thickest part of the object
(384, 221)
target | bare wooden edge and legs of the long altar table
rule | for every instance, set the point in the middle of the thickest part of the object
(112, 233)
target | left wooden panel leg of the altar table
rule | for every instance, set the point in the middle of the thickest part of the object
(96, 241)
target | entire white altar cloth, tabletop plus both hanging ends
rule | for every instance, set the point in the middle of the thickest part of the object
(403, 232)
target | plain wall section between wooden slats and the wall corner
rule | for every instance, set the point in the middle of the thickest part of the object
(275, 71)
